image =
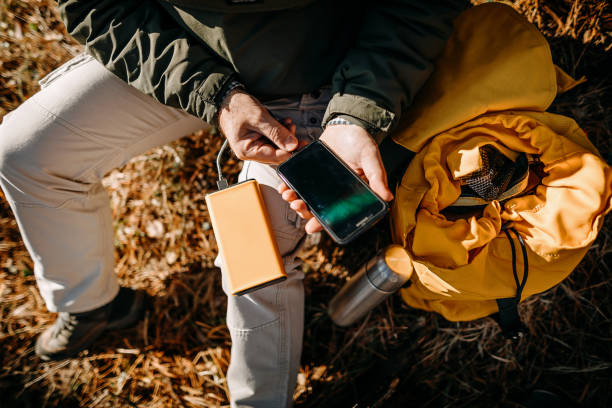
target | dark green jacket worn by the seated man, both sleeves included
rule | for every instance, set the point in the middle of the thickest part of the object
(375, 55)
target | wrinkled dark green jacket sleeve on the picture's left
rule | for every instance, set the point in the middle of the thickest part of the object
(141, 44)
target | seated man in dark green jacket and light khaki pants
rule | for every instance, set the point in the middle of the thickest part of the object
(158, 70)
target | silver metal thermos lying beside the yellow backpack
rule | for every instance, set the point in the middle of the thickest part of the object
(380, 277)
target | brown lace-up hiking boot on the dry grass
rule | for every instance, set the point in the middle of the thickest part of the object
(73, 332)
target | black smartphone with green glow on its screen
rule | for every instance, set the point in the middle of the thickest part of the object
(337, 197)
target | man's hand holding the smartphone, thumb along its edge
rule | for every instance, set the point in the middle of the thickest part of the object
(357, 148)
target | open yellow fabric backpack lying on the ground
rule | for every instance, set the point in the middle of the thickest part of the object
(491, 89)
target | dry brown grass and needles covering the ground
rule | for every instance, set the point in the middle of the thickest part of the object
(397, 357)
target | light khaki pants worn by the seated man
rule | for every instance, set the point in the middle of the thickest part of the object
(55, 149)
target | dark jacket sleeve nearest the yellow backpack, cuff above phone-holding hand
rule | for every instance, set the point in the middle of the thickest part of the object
(391, 59)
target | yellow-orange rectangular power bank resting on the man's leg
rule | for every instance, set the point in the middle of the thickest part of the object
(244, 236)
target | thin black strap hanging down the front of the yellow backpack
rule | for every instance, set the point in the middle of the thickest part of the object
(508, 317)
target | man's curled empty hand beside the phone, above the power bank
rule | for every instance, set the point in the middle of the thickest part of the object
(253, 133)
